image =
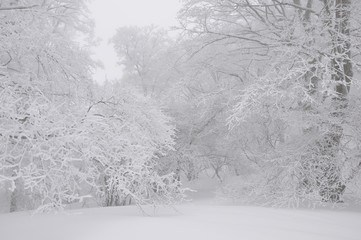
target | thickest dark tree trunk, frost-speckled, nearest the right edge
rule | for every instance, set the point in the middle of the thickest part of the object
(331, 186)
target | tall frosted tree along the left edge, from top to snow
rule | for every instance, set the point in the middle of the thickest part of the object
(44, 74)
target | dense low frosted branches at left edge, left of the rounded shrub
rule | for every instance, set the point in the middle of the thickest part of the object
(40, 151)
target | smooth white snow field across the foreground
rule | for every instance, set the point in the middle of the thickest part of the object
(192, 221)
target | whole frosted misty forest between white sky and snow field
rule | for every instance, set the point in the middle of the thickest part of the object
(262, 96)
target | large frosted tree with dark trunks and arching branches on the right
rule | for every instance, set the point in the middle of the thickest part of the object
(299, 60)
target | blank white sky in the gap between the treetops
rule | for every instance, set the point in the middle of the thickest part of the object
(111, 14)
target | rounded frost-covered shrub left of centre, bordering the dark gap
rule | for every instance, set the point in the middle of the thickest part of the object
(126, 136)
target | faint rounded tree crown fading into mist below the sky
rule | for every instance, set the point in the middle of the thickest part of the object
(146, 55)
